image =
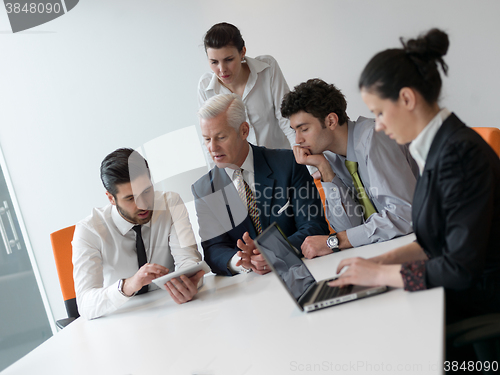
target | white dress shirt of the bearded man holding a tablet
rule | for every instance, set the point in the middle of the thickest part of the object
(104, 251)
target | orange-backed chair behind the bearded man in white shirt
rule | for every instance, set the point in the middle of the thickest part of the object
(61, 245)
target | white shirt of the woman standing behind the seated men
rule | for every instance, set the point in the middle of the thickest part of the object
(263, 94)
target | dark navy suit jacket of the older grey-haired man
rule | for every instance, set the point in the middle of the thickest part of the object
(281, 185)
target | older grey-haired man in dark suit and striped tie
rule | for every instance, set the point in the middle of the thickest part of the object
(249, 188)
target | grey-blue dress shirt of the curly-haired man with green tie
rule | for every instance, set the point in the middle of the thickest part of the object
(388, 174)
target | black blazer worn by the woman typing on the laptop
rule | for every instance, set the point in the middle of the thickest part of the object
(456, 211)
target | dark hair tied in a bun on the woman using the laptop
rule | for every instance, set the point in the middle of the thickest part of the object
(414, 65)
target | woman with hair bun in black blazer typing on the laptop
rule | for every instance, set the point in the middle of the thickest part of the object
(456, 205)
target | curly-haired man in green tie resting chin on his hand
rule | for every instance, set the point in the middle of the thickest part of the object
(368, 179)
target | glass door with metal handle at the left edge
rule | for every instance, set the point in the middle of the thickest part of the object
(24, 322)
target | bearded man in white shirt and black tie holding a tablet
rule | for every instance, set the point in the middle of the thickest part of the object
(108, 269)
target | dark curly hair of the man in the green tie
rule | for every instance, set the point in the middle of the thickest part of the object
(317, 98)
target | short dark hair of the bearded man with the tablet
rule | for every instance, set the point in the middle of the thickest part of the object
(122, 166)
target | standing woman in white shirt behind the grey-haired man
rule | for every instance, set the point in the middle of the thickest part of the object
(258, 81)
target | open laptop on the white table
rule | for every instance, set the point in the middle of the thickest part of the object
(308, 294)
